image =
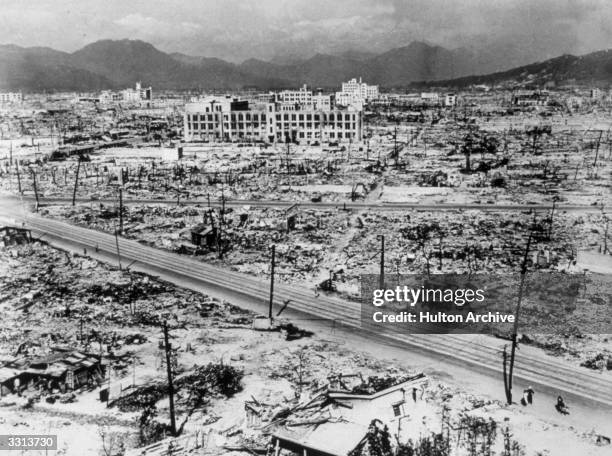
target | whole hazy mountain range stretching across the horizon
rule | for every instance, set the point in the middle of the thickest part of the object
(110, 64)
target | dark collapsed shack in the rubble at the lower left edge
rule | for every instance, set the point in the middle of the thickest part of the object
(64, 370)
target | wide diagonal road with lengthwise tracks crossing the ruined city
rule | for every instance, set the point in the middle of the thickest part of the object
(481, 352)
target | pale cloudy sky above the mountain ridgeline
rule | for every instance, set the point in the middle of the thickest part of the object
(235, 30)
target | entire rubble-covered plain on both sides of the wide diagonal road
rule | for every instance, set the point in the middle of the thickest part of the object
(83, 347)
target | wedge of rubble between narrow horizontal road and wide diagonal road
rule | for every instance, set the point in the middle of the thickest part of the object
(312, 243)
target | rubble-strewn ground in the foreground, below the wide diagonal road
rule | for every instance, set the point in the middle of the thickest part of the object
(232, 382)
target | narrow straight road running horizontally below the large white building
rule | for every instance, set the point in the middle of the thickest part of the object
(378, 206)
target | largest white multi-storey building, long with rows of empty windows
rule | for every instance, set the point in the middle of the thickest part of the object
(231, 119)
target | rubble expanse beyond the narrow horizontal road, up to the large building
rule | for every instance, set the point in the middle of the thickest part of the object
(486, 158)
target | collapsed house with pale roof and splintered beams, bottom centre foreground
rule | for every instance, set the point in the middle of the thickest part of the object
(334, 422)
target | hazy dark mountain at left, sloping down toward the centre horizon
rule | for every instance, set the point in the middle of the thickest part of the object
(116, 64)
